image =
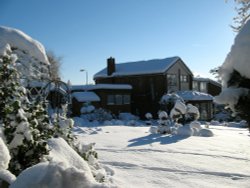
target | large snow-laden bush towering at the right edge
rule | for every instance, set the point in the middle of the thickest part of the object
(235, 76)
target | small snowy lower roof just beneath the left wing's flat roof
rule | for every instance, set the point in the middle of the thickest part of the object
(85, 96)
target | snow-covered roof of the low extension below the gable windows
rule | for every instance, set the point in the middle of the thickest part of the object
(194, 96)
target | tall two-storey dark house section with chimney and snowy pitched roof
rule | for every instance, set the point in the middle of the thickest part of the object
(150, 80)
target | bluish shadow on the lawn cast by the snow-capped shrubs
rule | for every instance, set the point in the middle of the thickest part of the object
(154, 138)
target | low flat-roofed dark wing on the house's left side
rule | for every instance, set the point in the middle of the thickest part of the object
(112, 97)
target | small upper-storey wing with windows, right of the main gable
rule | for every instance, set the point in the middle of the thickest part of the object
(206, 85)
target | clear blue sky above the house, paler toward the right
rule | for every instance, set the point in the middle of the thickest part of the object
(86, 32)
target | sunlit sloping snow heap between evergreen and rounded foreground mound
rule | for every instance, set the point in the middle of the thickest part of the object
(60, 151)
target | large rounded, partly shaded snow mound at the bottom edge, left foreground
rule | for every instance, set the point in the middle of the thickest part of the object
(56, 175)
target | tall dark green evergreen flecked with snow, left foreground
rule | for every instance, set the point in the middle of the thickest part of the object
(21, 128)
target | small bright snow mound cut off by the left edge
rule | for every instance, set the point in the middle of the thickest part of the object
(4, 155)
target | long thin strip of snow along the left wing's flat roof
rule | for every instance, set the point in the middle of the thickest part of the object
(101, 86)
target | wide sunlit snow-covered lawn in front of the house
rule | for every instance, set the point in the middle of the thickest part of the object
(141, 159)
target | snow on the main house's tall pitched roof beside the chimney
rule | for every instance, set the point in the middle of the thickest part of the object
(140, 67)
